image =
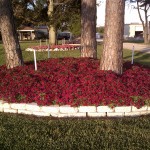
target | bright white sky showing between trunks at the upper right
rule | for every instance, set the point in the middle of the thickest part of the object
(131, 15)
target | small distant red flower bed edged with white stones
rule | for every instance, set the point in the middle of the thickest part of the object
(64, 47)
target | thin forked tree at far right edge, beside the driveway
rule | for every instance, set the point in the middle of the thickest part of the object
(145, 6)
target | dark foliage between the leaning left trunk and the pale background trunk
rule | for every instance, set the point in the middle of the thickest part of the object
(30, 12)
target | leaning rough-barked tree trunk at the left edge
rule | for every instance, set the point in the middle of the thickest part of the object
(9, 35)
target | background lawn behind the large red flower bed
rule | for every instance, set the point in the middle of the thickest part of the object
(139, 57)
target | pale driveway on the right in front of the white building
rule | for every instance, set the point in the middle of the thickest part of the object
(137, 47)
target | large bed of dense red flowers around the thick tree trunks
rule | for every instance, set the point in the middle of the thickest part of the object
(75, 82)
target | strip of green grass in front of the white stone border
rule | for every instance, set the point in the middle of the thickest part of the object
(18, 132)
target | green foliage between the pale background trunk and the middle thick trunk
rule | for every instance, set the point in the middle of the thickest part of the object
(66, 16)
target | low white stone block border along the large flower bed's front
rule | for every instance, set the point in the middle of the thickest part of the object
(67, 111)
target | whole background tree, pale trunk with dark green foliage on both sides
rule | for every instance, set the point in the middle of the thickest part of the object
(53, 13)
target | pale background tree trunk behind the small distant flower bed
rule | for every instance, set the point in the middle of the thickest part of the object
(52, 32)
